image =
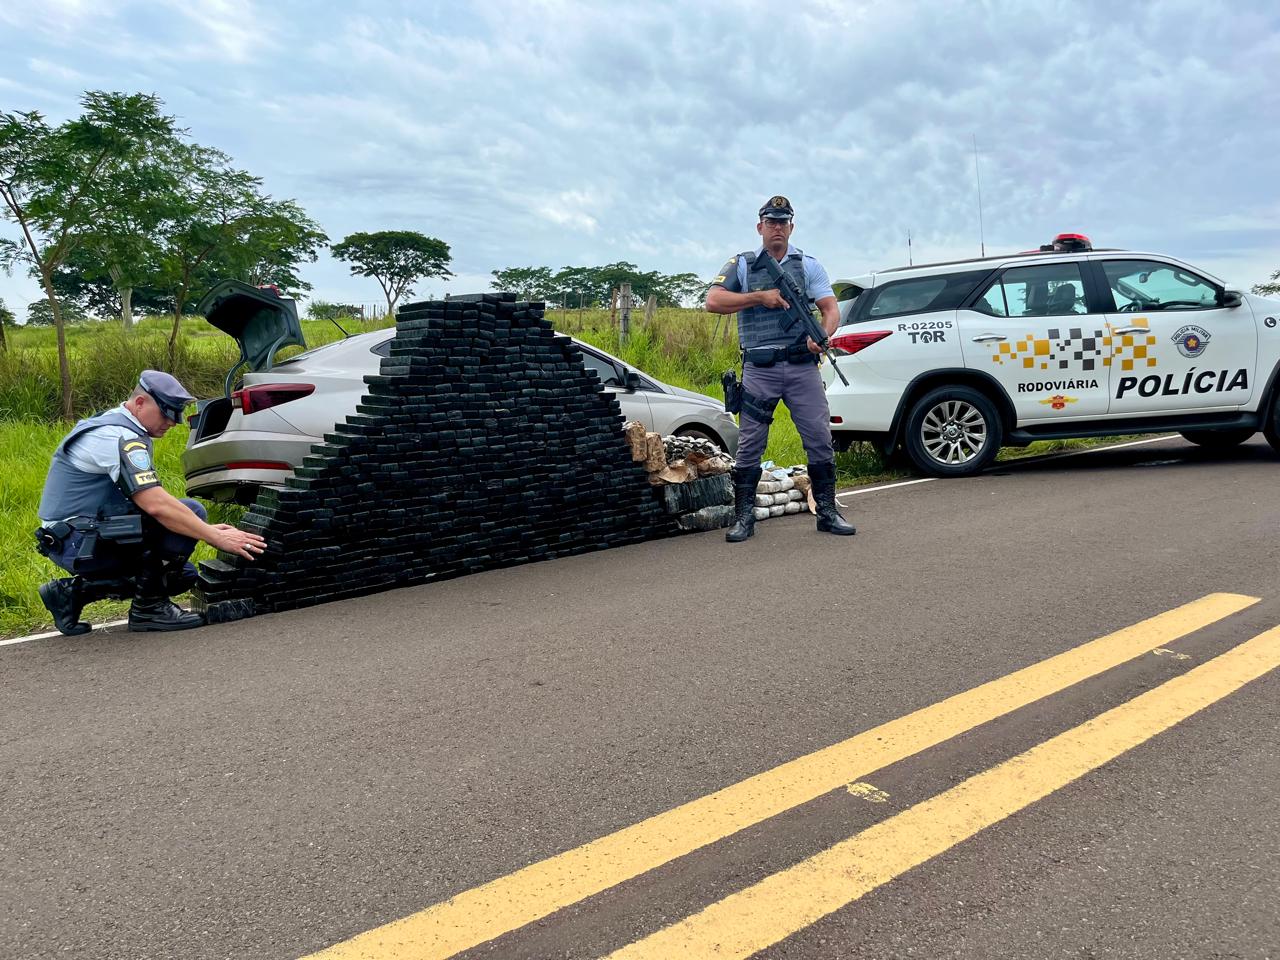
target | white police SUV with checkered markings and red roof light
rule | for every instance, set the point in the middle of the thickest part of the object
(950, 362)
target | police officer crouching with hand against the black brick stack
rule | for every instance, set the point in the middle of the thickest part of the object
(107, 519)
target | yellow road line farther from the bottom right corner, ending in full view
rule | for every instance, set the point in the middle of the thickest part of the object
(509, 903)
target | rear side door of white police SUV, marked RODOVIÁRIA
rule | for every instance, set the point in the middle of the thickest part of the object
(1034, 331)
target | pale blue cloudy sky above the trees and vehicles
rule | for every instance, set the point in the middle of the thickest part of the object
(538, 132)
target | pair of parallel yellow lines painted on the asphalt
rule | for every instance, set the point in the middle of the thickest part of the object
(788, 902)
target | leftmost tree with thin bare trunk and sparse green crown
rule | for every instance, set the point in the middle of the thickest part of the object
(58, 184)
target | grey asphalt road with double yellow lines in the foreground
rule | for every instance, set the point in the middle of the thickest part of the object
(273, 788)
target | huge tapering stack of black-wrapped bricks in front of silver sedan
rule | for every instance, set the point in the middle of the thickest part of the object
(483, 442)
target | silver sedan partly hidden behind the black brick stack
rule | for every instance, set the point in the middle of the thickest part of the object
(262, 432)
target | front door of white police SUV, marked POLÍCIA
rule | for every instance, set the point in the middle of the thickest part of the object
(1174, 349)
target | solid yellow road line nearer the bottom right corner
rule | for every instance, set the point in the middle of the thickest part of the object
(780, 906)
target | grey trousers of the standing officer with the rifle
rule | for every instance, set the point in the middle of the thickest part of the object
(799, 386)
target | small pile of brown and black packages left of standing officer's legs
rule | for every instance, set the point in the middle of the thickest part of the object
(691, 478)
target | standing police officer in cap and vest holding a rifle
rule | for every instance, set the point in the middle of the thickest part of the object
(779, 363)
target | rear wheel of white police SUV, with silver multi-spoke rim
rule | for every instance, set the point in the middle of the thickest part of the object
(953, 432)
